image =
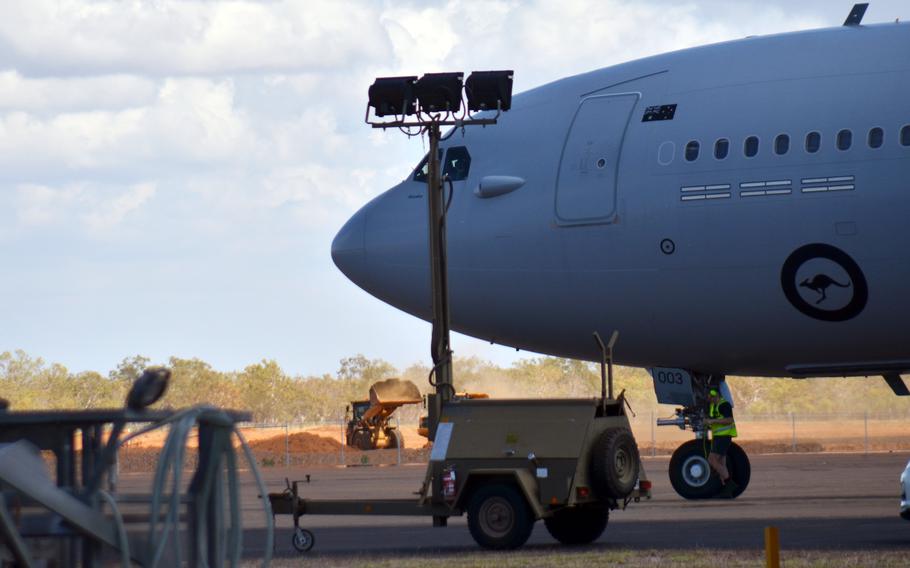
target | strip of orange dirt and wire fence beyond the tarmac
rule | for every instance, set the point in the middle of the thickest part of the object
(323, 444)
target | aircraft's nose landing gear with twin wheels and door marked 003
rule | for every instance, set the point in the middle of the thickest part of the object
(690, 473)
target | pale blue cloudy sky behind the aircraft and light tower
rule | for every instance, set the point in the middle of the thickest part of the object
(172, 173)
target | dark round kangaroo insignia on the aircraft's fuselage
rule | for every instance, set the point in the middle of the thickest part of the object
(824, 283)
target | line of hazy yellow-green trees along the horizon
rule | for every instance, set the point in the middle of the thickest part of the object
(274, 396)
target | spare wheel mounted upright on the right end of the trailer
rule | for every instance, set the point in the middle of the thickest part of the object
(614, 464)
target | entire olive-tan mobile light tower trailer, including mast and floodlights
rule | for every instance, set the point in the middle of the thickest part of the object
(506, 463)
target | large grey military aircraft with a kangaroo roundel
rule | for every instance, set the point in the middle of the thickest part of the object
(738, 208)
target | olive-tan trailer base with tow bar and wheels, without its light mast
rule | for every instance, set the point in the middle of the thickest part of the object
(507, 464)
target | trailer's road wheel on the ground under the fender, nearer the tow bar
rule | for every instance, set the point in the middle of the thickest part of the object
(499, 517)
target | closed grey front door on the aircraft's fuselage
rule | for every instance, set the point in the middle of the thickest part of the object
(588, 168)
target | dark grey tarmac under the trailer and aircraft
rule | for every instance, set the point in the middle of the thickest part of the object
(819, 502)
